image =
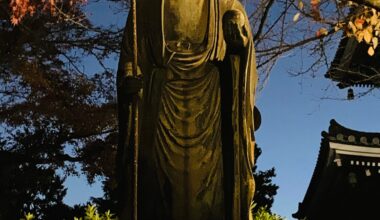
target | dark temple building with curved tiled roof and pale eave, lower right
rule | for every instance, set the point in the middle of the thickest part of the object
(346, 182)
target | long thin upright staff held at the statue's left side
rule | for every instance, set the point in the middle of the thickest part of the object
(135, 116)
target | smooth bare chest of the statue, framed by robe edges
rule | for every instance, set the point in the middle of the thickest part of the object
(186, 20)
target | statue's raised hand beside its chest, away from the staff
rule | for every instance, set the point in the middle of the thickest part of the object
(234, 30)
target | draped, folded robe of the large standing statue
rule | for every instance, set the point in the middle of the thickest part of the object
(196, 126)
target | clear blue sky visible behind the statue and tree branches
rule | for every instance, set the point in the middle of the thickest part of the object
(294, 113)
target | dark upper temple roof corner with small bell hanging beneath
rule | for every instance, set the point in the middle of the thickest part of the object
(352, 66)
